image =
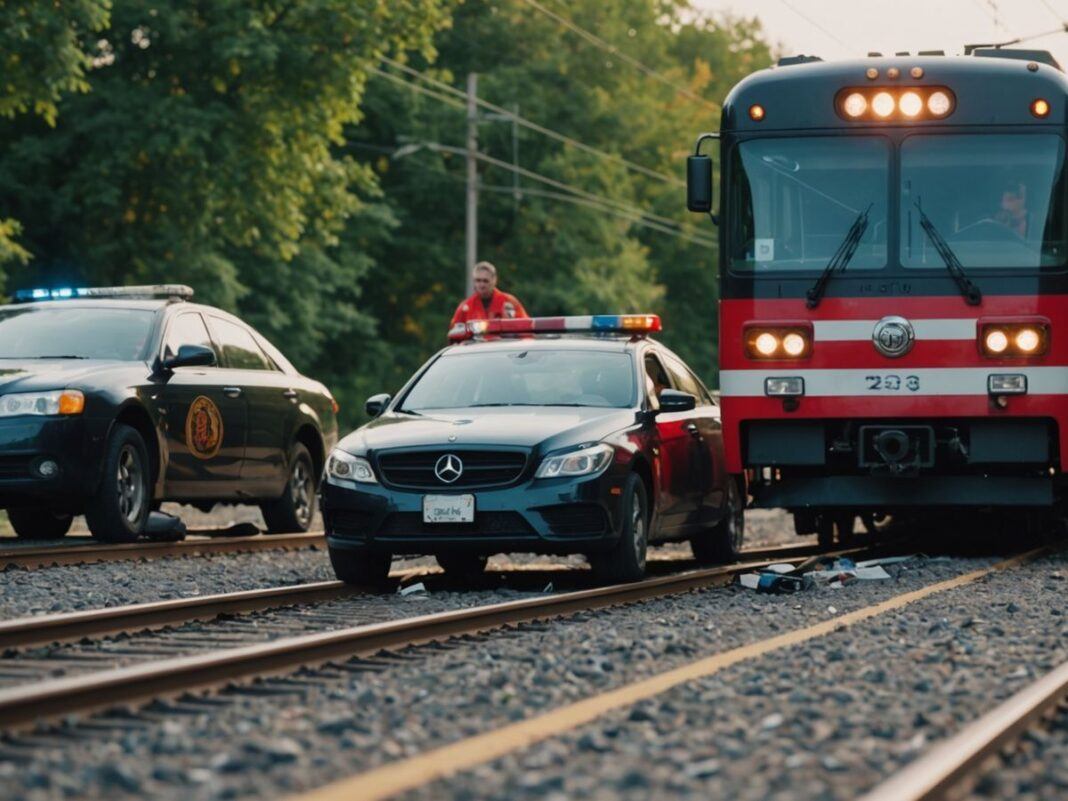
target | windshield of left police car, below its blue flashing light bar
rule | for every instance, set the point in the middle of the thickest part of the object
(74, 333)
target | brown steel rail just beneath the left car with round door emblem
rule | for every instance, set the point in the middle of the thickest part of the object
(32, 558)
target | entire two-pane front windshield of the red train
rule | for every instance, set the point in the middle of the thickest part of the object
(794, 201)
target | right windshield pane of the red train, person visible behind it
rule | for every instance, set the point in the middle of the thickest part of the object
(998, 200)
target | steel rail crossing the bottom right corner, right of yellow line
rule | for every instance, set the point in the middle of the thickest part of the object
(948, 765)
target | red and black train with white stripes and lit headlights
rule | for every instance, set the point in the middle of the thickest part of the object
(893, 258)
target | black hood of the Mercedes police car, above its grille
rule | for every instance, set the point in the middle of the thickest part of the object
(546, 429)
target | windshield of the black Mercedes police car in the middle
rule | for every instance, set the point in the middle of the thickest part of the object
(535, 378)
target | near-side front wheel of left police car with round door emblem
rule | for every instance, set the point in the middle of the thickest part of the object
(119, 510)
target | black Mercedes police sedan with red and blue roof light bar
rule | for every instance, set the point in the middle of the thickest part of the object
(548, 435)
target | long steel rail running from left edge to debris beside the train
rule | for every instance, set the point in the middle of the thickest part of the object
(27, 705)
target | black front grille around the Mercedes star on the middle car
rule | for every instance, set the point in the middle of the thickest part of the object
(481, 468)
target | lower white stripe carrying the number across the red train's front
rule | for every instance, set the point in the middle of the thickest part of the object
(889, 382)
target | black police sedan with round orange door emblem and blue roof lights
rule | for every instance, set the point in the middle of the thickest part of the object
(116, 400)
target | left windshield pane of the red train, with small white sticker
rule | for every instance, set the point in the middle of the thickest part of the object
(795, 201)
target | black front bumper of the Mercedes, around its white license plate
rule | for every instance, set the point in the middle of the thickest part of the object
(553, 516)
